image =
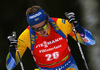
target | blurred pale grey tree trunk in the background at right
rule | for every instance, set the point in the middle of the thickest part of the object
(91, 20)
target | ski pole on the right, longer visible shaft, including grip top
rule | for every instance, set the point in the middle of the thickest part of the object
(83, 57)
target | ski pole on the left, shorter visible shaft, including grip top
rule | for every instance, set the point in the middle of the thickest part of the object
(13, 38)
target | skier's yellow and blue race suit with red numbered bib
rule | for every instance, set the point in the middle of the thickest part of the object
(52, 52)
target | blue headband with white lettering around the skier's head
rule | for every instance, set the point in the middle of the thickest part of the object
(36, 17)
